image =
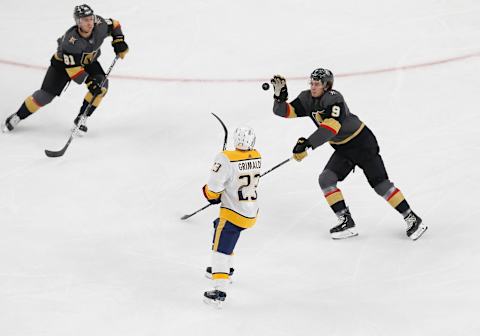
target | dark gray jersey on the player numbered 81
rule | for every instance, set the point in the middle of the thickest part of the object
(77, 52)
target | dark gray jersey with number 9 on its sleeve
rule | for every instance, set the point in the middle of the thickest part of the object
(330, 114)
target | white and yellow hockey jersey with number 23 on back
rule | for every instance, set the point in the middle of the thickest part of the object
(234, 178)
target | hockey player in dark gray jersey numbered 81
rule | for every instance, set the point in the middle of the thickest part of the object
(76, 59)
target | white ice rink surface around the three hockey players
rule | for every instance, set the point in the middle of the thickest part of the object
(92, 244)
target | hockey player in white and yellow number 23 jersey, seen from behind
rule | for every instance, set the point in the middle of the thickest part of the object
(233, 183)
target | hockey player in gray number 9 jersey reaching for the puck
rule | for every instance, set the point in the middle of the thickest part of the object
(354, 144)
